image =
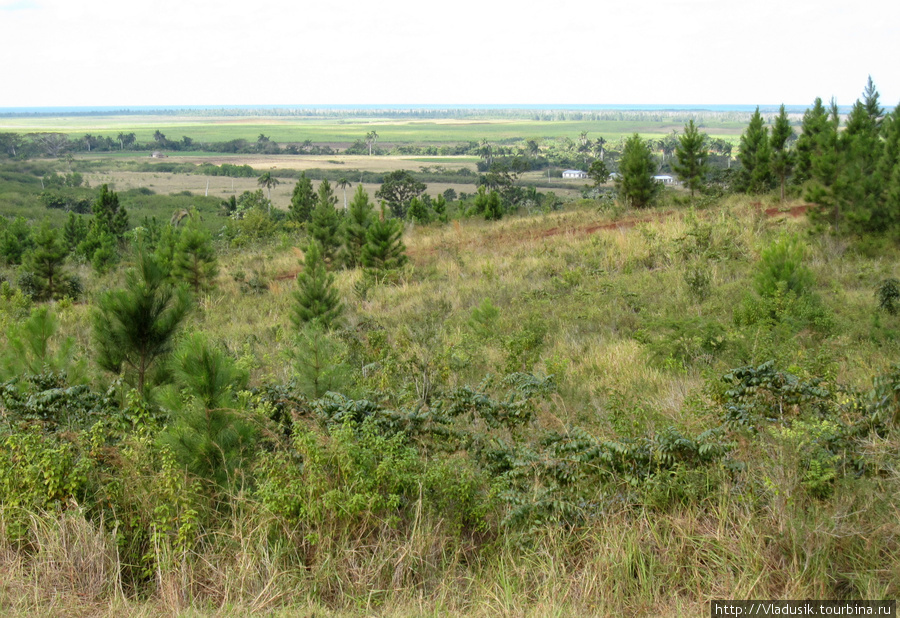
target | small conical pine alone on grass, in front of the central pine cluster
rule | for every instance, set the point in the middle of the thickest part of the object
(316, 298)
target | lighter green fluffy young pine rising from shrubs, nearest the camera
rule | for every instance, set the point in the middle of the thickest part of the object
(210, 435)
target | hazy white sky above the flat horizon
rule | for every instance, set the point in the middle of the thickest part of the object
(258, 52)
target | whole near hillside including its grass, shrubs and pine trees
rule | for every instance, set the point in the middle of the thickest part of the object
(459, 406)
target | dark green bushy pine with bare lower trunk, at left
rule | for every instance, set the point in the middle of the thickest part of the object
(135, 326)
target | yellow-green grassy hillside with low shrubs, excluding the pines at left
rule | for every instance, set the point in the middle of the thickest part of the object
(538, 416)
